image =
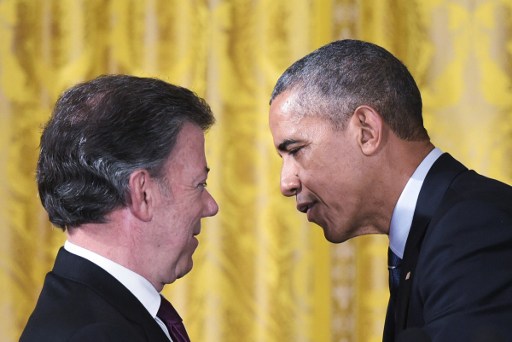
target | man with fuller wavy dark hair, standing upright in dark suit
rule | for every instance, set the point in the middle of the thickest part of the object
(122, 170)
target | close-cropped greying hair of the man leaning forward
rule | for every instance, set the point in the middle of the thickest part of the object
(335, 79)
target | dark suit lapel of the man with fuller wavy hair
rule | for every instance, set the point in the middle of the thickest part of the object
(78, 269)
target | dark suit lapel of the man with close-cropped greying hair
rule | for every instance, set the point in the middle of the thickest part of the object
(439, 177)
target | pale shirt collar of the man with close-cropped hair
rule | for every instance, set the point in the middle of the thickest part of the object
(403, 213)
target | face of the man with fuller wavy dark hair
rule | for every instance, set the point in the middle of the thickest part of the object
(178, 209)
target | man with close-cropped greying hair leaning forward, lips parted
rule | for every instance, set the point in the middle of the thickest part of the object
(347, 121)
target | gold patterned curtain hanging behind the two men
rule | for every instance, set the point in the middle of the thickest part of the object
(261, 273)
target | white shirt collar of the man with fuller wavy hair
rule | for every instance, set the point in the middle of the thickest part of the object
(139, 286)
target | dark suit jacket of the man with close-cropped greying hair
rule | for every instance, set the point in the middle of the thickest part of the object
(456, 281)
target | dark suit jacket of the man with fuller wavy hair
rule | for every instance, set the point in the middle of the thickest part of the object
(82, 302)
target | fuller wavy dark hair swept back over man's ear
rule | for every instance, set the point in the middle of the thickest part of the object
(99, 133)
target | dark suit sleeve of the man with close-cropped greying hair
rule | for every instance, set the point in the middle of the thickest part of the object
(465, 283)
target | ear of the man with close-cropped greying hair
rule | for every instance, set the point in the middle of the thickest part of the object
(369, 126)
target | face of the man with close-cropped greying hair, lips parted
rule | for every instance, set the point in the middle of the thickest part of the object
(322, 167)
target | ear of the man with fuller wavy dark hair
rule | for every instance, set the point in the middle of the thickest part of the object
(140, 195)
